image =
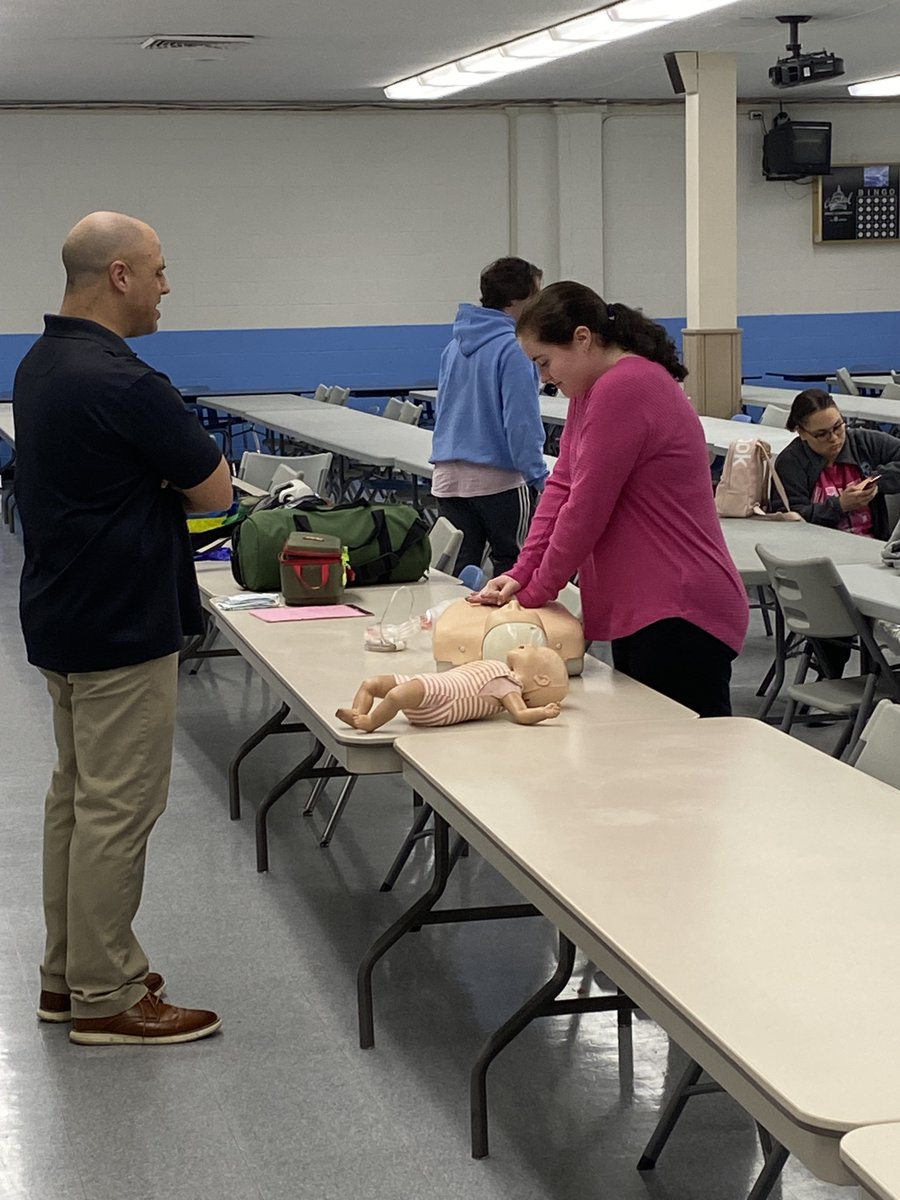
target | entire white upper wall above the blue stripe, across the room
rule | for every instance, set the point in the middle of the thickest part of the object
(365, 219)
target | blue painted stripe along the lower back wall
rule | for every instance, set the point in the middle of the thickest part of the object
(381, 356)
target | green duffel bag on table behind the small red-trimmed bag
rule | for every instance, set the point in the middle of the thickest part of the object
(387, 543)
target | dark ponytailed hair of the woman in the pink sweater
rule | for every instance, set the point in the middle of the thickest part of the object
(556, 313)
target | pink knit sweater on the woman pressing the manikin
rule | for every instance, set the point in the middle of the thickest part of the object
(631, 508)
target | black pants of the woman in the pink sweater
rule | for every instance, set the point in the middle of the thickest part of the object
(680, 661)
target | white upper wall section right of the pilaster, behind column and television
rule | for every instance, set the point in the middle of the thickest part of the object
(781, 269)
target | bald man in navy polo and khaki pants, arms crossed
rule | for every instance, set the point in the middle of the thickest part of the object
(109, 460)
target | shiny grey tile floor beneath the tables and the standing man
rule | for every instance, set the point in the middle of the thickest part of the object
(284, 1106)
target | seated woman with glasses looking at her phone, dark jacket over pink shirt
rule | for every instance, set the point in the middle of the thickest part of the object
(835, 476)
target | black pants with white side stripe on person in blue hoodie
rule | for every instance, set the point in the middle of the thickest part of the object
(501, 521)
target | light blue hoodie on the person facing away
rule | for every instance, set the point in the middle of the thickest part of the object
(488, 410)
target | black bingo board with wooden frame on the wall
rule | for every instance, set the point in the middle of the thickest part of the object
(859, 205)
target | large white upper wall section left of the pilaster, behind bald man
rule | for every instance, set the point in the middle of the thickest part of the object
(267, 220)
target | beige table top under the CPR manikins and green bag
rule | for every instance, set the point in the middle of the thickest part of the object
(317, 665)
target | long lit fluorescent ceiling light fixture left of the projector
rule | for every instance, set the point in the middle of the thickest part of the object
(598, 28)
